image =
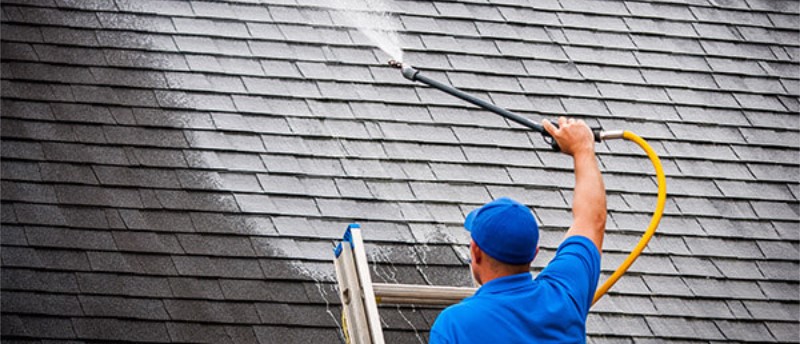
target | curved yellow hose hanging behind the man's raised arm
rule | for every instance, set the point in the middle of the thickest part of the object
(660, 202)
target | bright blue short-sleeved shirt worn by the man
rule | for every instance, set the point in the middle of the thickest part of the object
(518, 309)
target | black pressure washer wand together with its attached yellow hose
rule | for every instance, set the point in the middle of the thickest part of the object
(413, 74)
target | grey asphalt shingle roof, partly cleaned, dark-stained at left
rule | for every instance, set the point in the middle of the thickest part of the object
(178, 171)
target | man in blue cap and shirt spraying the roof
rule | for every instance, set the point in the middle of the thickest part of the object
(510, 306)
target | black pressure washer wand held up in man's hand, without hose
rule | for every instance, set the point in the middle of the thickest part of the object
(413, 74)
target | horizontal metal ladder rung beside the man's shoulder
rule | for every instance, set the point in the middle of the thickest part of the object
(420, 294)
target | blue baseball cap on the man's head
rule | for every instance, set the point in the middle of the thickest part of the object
(505, 229)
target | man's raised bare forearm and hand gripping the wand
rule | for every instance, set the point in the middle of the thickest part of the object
(589, 197)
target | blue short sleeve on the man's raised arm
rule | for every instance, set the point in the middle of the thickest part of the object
(575, 267)
